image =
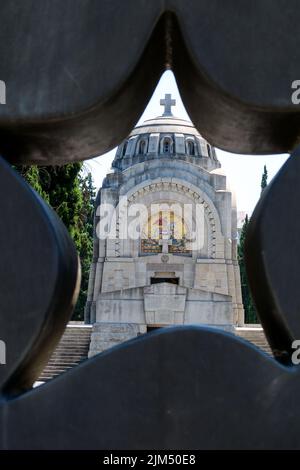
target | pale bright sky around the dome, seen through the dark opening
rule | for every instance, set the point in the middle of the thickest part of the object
(243, 171)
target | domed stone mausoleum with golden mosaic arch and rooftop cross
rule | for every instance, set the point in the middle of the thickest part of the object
(180, 267)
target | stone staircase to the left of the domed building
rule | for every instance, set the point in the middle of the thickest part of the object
(72, 349)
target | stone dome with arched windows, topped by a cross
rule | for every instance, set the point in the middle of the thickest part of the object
(166, 136)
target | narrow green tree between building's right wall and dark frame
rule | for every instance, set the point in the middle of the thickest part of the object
(250, 312)
